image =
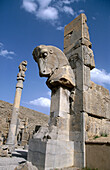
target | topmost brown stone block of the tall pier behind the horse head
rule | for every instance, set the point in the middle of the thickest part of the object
(76, 34)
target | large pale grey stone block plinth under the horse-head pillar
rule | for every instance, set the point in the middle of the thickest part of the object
(51, 154)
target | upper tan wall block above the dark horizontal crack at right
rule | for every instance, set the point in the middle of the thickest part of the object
(96, 101)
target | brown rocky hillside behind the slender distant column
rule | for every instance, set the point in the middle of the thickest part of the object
(34, 117)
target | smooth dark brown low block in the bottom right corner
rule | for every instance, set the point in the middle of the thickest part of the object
(98, 155)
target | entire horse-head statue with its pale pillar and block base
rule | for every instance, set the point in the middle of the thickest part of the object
(50, 147)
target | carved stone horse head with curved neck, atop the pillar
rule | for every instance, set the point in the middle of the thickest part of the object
(53, 64)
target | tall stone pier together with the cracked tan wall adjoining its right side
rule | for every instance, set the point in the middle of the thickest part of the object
(90, 103)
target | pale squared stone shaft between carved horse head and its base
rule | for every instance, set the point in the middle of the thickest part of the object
(60, 112)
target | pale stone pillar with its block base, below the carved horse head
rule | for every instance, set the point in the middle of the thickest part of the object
(51, 148)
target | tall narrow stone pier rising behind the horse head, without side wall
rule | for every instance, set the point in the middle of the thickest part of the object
(77, 48)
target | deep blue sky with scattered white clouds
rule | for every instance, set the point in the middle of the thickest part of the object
(26, 24)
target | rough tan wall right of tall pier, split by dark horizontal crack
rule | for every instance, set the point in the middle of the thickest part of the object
(97, 111)
